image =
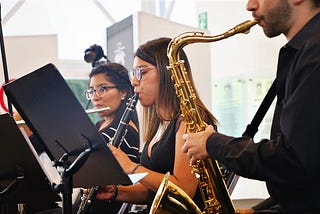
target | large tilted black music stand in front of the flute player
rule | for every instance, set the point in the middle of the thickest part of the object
(55, 116)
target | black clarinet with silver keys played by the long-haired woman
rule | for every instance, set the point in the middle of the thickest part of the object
(87, 199)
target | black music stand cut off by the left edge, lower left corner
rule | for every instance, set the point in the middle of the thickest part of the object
(22, 179)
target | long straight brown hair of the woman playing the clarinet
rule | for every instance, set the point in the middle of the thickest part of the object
(155, 53)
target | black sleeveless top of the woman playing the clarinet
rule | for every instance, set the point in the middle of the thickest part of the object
(162, 157)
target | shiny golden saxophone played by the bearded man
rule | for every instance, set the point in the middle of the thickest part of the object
(212, 186)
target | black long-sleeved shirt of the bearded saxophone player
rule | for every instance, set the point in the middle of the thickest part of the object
(288, 162)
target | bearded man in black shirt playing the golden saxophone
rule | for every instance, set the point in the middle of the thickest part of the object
(288, 161)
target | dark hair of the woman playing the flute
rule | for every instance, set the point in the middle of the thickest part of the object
(118, 75)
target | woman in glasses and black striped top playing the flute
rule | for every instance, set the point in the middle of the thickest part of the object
(109, 86)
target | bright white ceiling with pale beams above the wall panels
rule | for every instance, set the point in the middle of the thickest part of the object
(80, 23)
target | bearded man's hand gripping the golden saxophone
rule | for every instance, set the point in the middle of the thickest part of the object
(195, 144)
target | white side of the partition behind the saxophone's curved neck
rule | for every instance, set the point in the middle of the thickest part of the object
(150, 27)
